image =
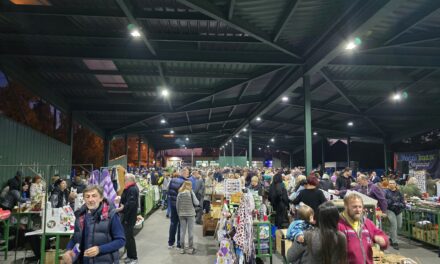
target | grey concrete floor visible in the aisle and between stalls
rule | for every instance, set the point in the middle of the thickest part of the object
(152, 247)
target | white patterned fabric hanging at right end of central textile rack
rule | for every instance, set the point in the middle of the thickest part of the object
(244, 236)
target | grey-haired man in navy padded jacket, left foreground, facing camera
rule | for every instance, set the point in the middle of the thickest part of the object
(98, 231)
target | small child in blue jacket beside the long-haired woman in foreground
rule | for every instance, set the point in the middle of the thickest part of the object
(304, 222)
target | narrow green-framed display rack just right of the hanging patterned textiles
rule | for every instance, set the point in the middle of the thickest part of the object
(263, 239)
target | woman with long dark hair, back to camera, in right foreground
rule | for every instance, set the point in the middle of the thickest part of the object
(325, 244)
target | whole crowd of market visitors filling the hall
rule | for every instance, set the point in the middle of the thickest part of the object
(296, 201)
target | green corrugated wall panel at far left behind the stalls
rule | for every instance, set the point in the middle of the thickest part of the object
(21, 145)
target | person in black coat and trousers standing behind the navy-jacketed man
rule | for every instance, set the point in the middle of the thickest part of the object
(128, 210)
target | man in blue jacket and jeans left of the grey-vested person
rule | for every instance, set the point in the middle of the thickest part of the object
(173, 190)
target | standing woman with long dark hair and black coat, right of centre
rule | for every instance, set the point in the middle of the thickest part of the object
(279, 200)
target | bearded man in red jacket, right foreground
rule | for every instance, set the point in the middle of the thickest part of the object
(359, 231)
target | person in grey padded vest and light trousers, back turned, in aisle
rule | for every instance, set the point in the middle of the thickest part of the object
(185, 203)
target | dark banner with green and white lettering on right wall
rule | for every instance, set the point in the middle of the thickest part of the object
(417, 161)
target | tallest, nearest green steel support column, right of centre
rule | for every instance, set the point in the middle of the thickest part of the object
(307, 125)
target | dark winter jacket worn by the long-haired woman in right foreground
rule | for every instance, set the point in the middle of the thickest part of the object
(299, 253)
